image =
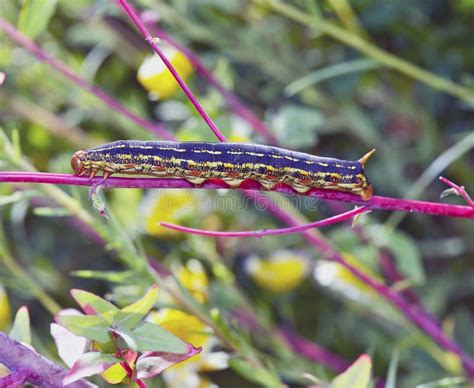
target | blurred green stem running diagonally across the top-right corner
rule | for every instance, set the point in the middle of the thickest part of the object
(360, 44)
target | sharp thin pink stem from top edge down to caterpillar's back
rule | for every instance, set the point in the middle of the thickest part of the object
(173, 71)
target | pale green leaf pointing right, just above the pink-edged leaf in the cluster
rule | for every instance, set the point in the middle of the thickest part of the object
(151, 337)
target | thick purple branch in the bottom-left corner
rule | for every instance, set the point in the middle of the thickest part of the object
(39, 370)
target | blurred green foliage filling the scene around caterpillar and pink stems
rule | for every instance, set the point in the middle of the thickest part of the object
(317, 91)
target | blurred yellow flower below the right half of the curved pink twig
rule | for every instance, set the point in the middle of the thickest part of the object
(281, 272)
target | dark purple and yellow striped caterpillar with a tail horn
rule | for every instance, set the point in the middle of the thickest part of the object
(230, 162)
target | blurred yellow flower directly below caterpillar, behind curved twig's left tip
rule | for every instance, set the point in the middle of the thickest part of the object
(171, 206)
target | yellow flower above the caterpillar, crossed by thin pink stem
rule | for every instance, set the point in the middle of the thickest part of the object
(157, 79)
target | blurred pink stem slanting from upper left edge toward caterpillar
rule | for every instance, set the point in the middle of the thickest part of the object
(59, 66)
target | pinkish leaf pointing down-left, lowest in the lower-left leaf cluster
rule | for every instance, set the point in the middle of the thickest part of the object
(89, 364)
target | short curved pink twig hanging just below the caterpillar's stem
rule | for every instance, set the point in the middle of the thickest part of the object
(273, 232)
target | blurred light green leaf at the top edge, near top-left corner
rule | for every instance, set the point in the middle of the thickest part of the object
(35, 15)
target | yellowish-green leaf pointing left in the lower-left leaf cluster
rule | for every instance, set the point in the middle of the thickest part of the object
(93, 327)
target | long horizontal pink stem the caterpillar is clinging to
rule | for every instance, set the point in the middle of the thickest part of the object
(376, 202)
